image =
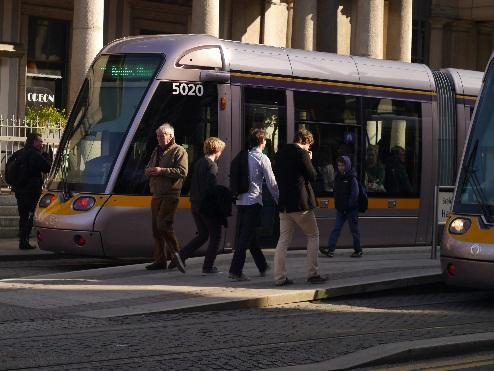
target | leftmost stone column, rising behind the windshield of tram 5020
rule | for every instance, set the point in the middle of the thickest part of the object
(87, 40)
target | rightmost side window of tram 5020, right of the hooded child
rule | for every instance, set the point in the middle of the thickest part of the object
(393, 147)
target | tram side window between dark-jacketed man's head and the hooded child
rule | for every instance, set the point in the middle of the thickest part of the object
(332, 120)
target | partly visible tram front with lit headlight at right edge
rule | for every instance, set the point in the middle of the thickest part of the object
(467, 247)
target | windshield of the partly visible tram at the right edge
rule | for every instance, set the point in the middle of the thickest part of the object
(475, 192)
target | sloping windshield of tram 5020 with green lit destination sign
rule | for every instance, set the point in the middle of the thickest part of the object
(102, 114)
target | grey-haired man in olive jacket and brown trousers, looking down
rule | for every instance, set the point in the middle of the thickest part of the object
(166, 170)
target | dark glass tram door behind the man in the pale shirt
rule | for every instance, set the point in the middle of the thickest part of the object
(266, 109)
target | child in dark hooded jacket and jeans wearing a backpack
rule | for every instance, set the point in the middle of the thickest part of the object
(346, 192)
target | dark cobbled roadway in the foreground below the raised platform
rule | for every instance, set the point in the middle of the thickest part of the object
(249, 339)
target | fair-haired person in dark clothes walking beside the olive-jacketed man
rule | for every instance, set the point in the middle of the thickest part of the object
(203, 182)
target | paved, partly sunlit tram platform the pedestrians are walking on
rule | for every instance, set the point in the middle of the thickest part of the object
(131, 290)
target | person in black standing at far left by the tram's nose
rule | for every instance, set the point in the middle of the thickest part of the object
(28, 193)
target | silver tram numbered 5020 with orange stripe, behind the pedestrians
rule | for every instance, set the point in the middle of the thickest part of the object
(387, 116)
